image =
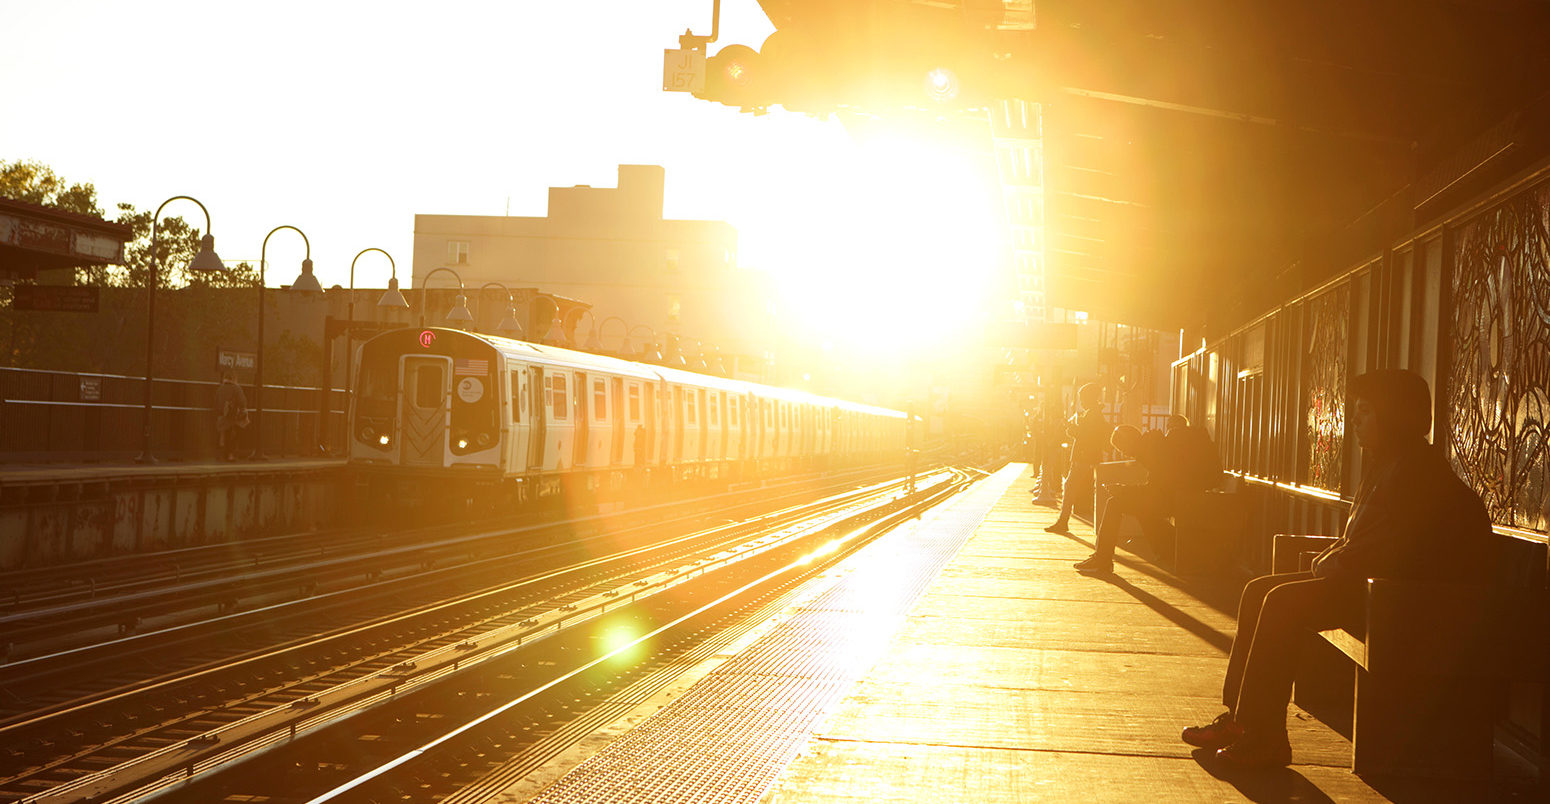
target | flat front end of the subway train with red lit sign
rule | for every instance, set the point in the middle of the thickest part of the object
(427, 404)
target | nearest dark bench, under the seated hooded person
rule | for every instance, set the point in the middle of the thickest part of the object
(1431, 661)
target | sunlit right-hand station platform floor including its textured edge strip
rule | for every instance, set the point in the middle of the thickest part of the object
(963, 659)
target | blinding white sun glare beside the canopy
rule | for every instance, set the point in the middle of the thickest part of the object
(898, 250)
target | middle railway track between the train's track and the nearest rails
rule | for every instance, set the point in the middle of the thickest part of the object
(153, 734)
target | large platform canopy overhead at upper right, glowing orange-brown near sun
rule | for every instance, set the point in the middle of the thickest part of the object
(1205, 160)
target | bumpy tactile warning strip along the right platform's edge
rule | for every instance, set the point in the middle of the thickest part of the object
(729, 737)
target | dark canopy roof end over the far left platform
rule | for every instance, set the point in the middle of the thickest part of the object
(38, 238)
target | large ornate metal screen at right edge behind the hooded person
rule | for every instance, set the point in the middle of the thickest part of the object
(1500, 394)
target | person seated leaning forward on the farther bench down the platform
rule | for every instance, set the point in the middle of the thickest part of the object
(1182, 461)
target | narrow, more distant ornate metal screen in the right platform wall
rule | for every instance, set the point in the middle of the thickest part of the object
(1324, 396)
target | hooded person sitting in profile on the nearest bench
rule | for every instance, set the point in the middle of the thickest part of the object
(1413, 518)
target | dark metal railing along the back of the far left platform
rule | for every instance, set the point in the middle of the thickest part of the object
(98, 417)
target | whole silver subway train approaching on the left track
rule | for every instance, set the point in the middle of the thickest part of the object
(443, 413)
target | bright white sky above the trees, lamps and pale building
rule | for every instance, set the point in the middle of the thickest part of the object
(346, 120)
